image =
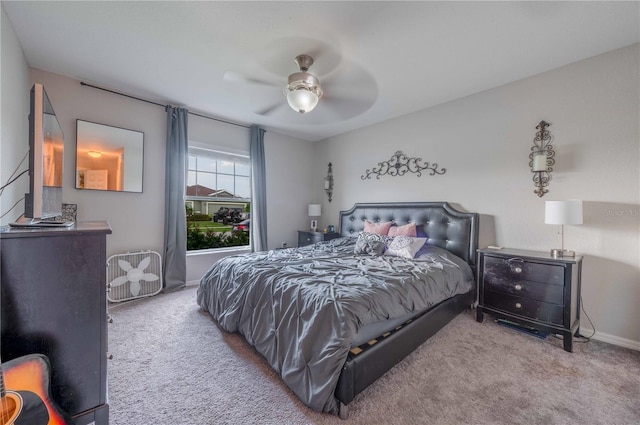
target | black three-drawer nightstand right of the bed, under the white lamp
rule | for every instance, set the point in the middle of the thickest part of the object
(532, 289)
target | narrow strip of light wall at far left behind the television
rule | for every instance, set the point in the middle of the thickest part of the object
(14, 120)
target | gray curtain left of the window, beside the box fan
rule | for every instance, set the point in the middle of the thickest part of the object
(175, 220)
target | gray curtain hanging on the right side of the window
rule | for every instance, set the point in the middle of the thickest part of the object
(258, 190)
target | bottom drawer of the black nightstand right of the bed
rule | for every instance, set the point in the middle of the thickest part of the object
(545, 312)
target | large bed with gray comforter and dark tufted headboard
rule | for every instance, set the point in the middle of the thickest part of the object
(331, 318)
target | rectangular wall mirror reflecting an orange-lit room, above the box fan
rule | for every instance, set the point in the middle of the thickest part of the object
(108, 158)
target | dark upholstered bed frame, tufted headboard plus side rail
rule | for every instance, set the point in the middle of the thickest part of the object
(443, 226)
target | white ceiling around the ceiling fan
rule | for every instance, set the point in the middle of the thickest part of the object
(376, 60)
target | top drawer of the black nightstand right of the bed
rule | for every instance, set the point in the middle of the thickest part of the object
(515, 268)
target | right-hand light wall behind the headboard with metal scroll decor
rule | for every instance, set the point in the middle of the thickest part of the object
(484, 141)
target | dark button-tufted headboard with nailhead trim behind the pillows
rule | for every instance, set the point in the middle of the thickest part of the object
(439, 222)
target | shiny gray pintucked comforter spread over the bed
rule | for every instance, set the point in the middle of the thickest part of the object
(301, 307)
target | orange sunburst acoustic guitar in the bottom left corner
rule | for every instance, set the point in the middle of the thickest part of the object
(25, 400)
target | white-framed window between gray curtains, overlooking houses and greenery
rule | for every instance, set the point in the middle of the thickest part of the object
(218, 199)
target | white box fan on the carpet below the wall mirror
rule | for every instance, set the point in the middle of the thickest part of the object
(136, 274)
